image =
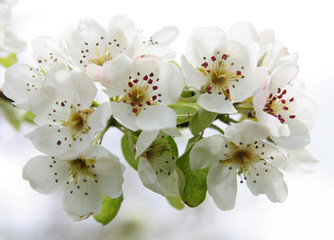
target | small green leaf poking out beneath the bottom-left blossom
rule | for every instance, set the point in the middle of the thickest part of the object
(109, 209)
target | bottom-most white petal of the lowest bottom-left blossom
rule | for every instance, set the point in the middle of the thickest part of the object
(80, 203)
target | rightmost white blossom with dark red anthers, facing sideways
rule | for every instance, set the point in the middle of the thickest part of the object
(289, 115)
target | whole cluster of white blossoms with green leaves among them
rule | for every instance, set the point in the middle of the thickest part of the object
(114, 77)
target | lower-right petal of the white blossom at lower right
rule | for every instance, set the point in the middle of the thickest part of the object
(270, 183)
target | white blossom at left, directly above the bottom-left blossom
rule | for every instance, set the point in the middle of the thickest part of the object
(67, 123)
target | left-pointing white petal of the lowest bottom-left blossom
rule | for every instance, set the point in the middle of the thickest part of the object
(45, 174)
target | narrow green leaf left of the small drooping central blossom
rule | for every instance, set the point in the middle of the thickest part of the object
(128, 144)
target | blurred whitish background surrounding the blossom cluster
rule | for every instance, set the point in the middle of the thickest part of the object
(305, 27)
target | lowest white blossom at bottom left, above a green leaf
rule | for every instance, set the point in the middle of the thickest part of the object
(84, 179)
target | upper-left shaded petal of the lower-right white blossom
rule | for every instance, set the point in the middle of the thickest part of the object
(207, 152)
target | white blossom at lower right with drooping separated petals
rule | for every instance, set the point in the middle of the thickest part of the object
(242, 152)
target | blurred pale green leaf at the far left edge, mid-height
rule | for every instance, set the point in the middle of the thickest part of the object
(14, 115)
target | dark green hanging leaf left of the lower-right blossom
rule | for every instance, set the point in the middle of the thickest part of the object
(195, 188)
